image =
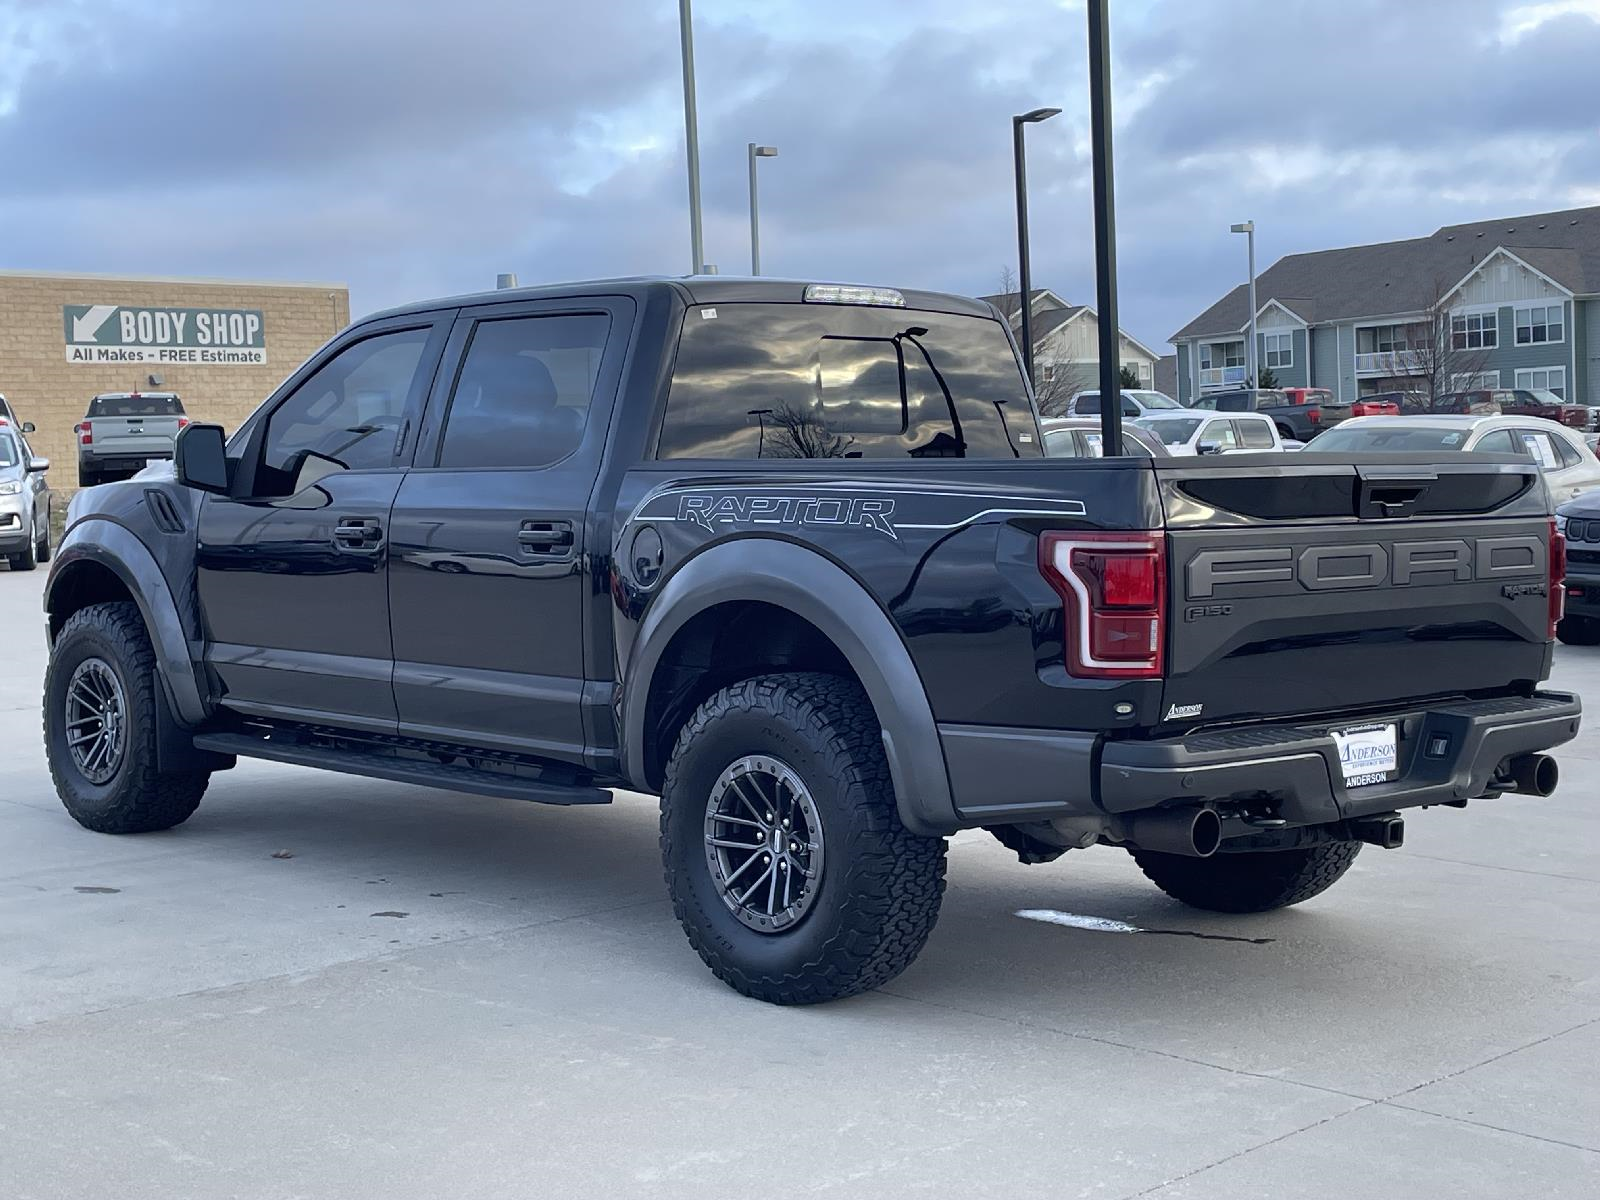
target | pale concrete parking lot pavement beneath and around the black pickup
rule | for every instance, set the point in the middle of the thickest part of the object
(330, 986)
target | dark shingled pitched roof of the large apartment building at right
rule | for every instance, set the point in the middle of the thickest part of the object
(1396, 278)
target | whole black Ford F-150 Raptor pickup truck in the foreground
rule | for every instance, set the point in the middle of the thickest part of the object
(791, 558)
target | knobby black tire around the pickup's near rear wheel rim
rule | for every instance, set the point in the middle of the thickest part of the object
(882, 884)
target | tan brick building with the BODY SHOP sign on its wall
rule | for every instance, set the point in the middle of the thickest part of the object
(222, 345)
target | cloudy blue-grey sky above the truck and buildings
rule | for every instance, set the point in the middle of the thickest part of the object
(417, 148)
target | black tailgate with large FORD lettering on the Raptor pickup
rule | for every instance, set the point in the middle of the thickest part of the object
(1330, 585)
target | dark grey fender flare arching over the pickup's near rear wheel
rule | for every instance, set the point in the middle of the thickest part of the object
(817, 590)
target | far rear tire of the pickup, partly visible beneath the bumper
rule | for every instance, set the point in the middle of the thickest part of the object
(1255, 882)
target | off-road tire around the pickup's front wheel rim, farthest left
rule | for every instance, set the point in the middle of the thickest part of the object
(138, 799)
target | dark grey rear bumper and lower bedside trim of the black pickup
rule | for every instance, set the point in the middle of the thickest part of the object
(1449, 753)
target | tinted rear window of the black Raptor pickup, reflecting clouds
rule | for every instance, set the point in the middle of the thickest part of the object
(842, 382)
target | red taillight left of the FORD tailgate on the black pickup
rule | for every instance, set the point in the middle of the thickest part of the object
(1113, 588)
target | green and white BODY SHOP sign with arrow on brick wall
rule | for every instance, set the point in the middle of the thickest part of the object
(119, 334)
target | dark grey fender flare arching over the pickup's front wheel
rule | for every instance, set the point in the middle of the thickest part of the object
(110, 545)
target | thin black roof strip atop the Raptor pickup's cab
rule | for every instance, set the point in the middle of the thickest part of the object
(694, 290)
